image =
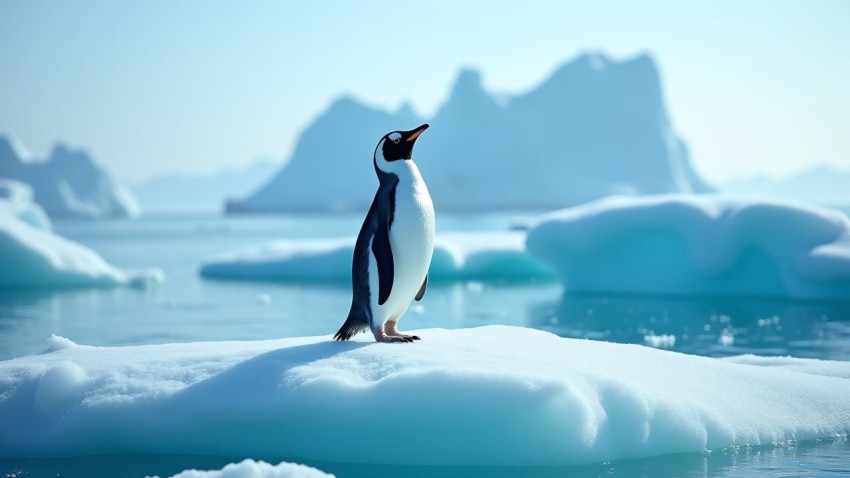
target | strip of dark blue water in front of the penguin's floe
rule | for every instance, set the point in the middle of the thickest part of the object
(813, 458)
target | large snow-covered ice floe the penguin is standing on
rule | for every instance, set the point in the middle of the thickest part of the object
(487, 396)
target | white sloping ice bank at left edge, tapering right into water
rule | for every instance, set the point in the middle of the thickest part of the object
(33, 256)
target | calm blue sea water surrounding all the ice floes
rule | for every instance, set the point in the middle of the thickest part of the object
(188, 308)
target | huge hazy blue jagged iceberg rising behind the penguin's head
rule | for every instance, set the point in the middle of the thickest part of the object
(595, 127)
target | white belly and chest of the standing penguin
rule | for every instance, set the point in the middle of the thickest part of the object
(412, 242)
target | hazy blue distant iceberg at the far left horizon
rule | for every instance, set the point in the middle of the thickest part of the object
(68, 184)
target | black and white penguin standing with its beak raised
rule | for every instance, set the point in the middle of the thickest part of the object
(393, 251)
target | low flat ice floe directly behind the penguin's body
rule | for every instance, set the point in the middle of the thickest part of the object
(457, 256)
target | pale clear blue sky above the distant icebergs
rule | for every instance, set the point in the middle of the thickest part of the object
(156, 87)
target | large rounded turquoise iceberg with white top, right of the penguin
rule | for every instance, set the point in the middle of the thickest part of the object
(697, 245)
